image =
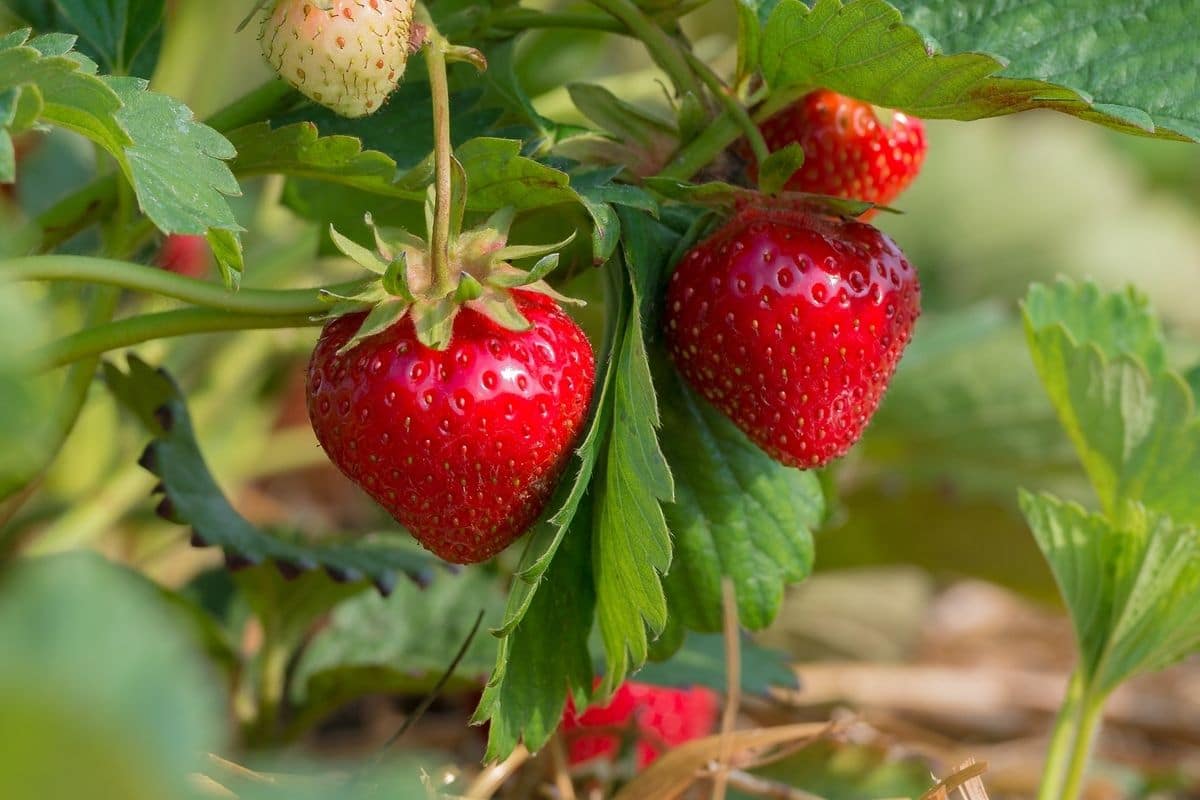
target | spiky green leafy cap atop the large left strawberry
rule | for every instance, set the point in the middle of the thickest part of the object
(482, 279)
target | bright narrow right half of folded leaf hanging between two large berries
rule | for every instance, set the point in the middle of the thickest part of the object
(632, 546)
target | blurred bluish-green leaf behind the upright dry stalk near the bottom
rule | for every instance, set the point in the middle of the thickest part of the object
(701, 661)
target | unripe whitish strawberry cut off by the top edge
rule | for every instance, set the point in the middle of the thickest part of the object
(346, 55)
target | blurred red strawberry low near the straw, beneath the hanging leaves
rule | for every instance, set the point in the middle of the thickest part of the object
(657, 718)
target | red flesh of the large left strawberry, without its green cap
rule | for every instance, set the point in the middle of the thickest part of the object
(463, 447)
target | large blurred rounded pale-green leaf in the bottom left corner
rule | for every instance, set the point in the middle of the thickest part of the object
(136, 721)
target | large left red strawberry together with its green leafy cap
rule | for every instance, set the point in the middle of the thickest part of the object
(455, 412)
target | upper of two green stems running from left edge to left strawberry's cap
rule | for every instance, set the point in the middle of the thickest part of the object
(139, 278)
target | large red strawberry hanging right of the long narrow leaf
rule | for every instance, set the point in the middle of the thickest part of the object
(793, 323)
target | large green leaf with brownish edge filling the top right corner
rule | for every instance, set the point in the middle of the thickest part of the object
(1090, 61)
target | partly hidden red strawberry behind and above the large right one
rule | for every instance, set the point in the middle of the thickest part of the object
(848, 152)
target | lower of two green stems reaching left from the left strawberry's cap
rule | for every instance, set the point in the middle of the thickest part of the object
(135, 330)
